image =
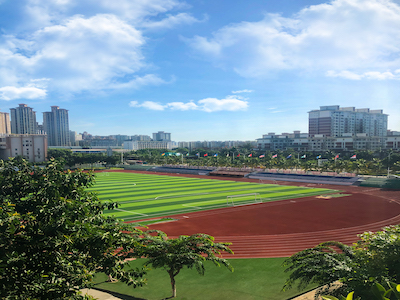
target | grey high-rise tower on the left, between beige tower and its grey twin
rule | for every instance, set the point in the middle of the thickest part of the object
(23, 120)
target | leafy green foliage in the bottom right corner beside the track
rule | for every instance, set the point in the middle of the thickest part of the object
(375, 258)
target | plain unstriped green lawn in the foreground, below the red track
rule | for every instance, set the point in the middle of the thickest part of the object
(253, 279)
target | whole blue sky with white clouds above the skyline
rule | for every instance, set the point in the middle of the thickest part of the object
(201, 69)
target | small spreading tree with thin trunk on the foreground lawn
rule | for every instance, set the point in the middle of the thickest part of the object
(185, 251)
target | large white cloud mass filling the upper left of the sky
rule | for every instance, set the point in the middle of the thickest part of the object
(84, 45)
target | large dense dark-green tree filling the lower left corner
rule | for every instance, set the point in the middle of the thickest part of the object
(53, 234)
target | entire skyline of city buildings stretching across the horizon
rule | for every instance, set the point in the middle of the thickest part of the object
(329, 128)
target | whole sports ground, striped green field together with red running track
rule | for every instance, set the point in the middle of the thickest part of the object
(262, 218)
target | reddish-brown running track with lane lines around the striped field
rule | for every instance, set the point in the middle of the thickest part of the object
(282, 228)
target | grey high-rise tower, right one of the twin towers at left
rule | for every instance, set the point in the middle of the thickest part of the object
(56, 125)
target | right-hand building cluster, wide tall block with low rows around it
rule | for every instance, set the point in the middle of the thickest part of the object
(339, 129)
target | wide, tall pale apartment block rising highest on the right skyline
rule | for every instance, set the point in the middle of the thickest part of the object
(338, 121)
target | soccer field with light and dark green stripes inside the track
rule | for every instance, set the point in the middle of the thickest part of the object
(143, 196)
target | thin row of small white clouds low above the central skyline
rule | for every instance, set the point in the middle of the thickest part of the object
(230, 103)
